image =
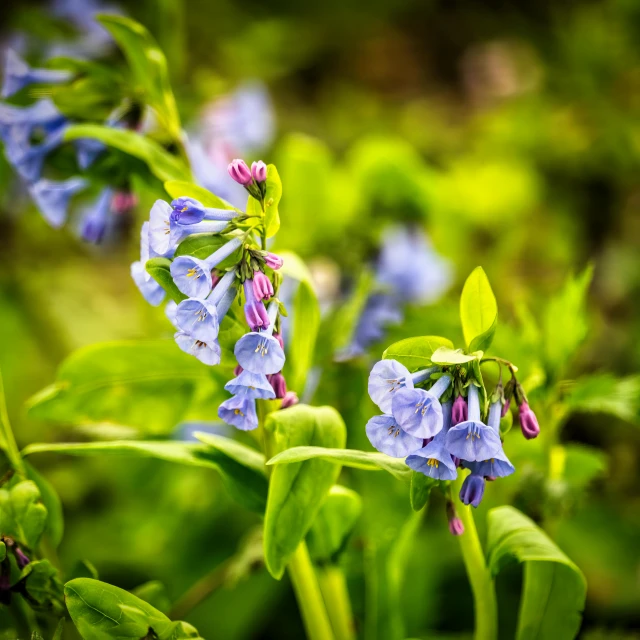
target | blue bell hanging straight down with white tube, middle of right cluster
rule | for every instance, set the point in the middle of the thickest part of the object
(472, 440)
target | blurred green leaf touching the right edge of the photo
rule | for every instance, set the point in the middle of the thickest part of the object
(604, 393)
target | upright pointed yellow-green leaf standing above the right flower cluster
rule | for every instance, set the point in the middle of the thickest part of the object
(478, 311)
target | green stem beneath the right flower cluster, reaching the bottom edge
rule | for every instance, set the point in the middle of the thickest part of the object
(482, 586)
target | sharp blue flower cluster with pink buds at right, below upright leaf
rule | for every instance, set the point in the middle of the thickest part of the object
(436, 434)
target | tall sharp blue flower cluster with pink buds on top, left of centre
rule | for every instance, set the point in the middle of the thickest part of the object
(210, 285)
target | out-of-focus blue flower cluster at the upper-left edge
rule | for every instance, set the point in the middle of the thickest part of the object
(30, 134)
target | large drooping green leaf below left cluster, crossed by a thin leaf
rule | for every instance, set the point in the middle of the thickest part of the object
(296, 490)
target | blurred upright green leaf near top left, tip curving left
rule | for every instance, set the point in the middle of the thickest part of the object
(149, 67)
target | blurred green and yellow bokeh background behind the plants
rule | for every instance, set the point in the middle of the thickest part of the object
(509, 133)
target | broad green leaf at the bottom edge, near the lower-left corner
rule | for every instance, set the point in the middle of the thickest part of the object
(101, 611)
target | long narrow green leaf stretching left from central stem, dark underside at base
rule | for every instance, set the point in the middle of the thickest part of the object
(243, 477)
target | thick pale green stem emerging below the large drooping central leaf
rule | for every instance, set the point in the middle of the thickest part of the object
(307, 590)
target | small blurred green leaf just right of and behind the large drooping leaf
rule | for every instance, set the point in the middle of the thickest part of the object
(333, 524)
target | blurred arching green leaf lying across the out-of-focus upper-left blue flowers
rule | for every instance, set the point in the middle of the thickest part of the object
(160, 162)
